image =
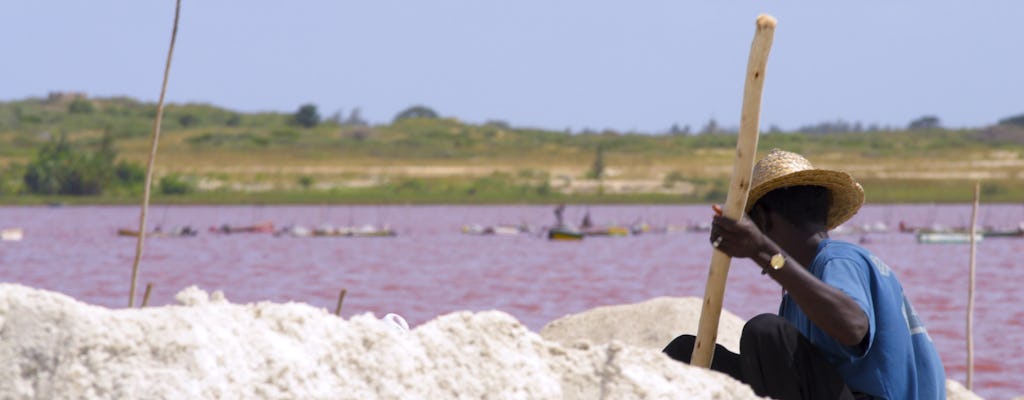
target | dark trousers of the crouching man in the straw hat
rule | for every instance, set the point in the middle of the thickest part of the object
(775, 360)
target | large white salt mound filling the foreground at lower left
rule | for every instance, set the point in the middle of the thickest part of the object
(56, 347)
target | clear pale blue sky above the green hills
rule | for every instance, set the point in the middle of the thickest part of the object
(641, 66)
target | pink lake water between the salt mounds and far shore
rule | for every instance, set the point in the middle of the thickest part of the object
(432, 269)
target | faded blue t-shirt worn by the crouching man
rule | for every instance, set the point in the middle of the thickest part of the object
(900, 361)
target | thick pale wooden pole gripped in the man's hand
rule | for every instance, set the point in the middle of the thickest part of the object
(736, 202)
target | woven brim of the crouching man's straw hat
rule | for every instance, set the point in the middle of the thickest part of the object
(847, 195)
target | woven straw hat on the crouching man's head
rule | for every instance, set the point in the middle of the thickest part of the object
(784, 169)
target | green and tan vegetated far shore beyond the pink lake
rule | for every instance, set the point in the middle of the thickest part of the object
(91, 151)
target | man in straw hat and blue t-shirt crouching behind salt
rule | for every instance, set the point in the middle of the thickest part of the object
(844, 329)
